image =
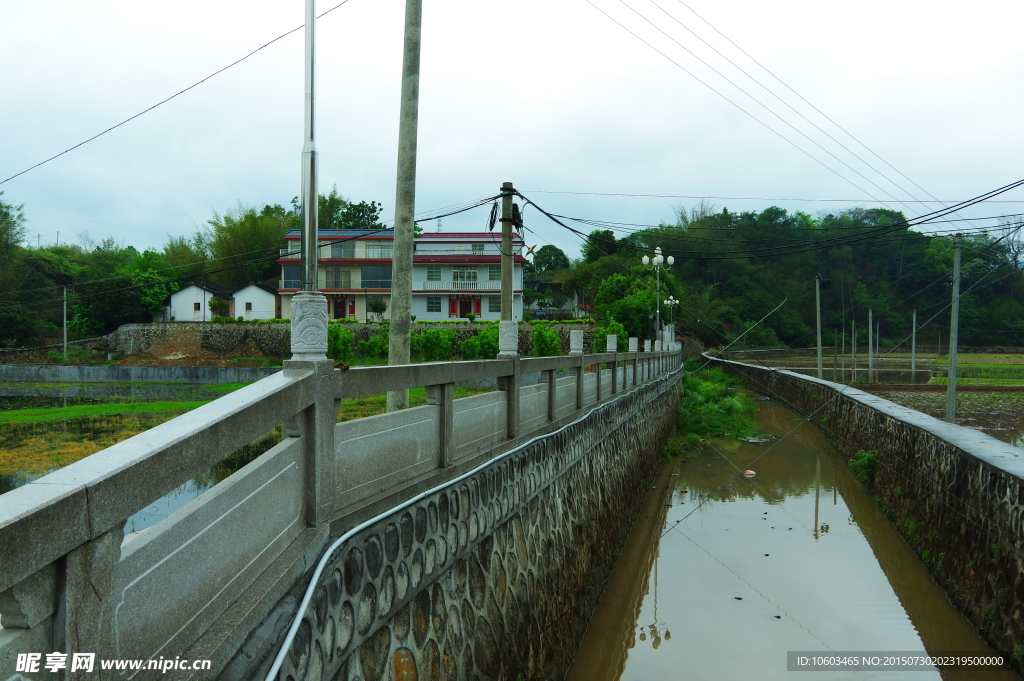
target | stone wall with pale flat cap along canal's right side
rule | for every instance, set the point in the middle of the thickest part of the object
(956, 495)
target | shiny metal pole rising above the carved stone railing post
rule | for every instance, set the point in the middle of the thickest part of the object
(310, 161)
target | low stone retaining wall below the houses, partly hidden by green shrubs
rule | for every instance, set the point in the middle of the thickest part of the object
(248, 339)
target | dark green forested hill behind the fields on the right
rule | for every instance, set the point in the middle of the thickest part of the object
(733, 269)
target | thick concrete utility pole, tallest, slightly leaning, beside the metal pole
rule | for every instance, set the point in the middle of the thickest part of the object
(405, 203)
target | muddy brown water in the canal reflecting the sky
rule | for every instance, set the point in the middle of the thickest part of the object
(796, 559)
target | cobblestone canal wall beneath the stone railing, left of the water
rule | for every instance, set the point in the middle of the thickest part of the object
(496, 576)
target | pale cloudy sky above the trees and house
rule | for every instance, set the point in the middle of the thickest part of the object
(552, 96)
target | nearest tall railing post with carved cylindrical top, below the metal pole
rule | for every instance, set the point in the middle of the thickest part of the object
(317, 422)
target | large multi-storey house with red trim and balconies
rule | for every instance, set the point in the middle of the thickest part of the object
(454, 274)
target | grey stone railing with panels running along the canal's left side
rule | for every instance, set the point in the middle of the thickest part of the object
(199, 582)
